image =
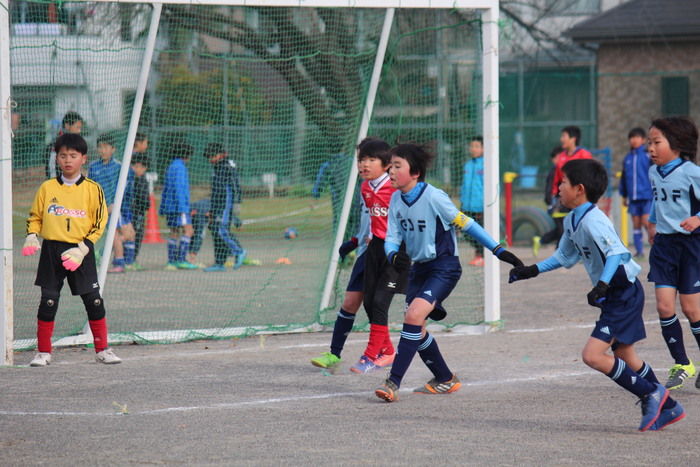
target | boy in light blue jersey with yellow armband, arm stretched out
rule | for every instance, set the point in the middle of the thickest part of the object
(425, 219)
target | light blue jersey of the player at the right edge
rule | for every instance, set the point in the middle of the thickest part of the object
(676, 195)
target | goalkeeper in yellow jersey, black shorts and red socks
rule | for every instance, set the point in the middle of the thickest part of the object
(70, 213)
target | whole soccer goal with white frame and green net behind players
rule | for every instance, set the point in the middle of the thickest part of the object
(287, 89)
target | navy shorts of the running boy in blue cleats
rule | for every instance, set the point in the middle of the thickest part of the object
(621, 318)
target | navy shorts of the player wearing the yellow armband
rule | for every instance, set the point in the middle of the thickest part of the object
(434, 281)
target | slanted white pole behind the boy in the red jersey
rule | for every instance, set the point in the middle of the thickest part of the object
(364, 127)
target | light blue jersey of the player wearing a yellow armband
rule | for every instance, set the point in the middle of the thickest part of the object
(425, 224)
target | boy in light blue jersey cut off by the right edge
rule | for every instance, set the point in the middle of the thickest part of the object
(674, 233)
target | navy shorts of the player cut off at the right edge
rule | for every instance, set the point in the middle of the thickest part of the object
(674, 261)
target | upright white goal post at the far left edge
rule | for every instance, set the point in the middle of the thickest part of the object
(6, 289)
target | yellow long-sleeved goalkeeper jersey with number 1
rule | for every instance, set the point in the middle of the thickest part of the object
(68, 213)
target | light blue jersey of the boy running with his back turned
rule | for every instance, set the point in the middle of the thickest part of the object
(590, 236)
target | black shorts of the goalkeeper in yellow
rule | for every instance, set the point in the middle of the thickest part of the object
(50, 274)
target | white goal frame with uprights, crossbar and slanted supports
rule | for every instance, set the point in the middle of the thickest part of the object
(490, 108)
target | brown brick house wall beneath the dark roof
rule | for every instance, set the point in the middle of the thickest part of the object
(629, 87)
